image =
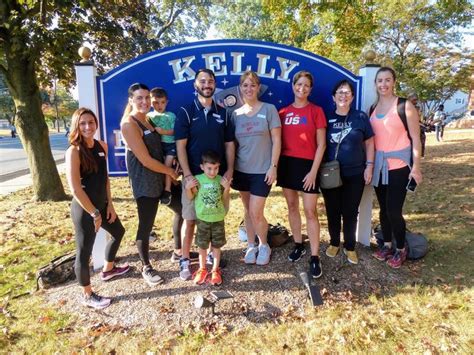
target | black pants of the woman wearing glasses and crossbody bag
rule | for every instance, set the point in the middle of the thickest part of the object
(344, 202)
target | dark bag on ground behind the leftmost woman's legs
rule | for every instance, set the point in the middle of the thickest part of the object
(58, 271)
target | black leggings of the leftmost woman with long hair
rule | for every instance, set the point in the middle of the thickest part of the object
(85, 237)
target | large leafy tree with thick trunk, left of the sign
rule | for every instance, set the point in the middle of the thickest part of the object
(39, 42)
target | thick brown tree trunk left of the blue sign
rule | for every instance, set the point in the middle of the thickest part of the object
(33, 131)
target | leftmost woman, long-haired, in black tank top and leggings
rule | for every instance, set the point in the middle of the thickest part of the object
(91, 207)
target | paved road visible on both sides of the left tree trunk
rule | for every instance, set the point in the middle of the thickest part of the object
(13, 160)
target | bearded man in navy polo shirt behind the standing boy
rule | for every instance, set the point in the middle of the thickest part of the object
(200, 127)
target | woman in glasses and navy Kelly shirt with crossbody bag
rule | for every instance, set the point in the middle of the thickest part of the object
(349, 141)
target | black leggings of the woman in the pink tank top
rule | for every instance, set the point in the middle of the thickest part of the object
(391, 198)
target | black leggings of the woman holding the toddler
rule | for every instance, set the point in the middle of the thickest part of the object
(147, 208)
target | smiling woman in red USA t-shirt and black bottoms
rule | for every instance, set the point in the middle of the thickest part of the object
(303, 144)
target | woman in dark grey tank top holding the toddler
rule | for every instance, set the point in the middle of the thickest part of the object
(146, 170)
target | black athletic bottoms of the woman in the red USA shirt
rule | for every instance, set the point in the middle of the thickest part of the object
(291, 172)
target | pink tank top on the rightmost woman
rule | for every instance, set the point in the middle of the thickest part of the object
(390, 135)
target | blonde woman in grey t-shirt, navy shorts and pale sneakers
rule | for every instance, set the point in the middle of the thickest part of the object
(258, 135)
